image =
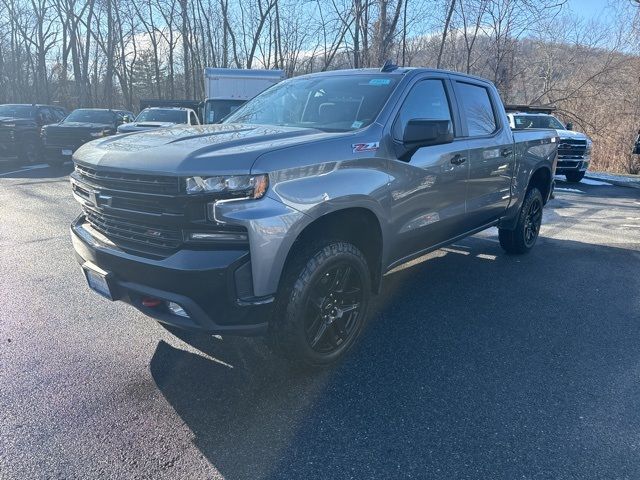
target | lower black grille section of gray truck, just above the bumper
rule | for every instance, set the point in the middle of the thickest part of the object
(148, 238)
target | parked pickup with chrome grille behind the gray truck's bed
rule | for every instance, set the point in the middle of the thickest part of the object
(574, 149)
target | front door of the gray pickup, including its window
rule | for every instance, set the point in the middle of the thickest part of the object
(428, 188)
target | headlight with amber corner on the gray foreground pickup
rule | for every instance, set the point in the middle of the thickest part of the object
(240, 186)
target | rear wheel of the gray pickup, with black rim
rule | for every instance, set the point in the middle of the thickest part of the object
(522, 238)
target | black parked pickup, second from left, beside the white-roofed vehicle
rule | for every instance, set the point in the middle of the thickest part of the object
(60, 140)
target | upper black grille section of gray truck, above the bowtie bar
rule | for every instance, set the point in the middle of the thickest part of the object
(128, 182)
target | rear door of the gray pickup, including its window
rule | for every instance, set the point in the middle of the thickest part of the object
(491, 155)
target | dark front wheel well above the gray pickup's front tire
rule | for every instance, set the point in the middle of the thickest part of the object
(358, 226)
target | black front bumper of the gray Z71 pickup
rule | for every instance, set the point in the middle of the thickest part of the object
(204, 282)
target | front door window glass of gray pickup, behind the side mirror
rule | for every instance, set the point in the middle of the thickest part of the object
(427, 100)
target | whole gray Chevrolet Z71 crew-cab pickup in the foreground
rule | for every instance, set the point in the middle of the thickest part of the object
(282, 220)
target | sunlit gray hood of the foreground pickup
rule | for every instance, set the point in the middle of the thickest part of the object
(221, 149)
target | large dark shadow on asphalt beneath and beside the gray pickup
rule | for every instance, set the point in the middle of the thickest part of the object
(476, 364)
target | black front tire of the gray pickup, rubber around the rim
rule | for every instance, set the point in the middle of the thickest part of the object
(286, 335)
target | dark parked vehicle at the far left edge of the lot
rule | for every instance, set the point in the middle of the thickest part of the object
(20, 126)
